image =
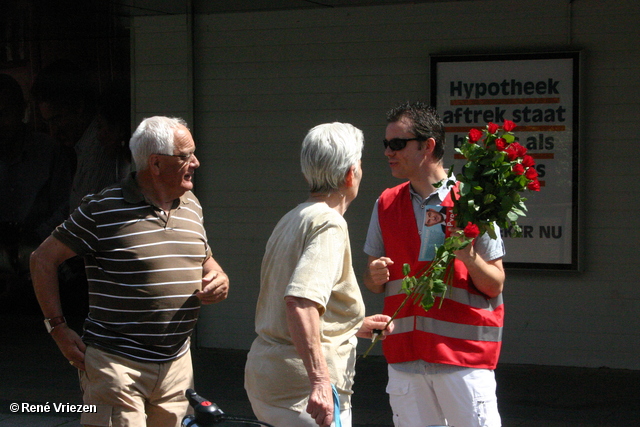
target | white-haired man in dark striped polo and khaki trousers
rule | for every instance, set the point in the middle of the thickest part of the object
(149, 269)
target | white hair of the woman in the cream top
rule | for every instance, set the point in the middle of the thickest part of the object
(328, 152)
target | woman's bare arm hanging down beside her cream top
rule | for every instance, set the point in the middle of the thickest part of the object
(303, 319)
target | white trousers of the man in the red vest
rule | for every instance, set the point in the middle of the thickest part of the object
(463, 397)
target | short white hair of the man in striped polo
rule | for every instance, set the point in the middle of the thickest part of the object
(154, 135)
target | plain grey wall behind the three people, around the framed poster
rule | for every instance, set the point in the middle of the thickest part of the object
(261, 80)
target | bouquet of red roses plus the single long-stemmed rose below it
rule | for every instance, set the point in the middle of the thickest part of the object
(496, 171)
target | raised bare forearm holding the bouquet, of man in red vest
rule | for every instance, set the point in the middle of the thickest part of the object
(488, 276)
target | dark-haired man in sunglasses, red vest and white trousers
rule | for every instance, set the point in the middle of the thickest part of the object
(440, 362)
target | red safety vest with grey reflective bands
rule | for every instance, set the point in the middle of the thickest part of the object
(465, 331)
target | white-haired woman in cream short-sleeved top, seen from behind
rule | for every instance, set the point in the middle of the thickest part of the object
(310, 309)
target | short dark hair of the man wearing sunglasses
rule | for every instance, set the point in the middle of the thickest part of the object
(425, 121)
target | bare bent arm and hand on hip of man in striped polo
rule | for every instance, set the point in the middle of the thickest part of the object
(44, 264)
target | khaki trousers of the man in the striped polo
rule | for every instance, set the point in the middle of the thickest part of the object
(129, 393)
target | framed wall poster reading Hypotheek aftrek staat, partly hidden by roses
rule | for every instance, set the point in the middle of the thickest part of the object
(540, 94)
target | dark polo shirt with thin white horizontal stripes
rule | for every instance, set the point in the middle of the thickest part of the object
(143, 268)
